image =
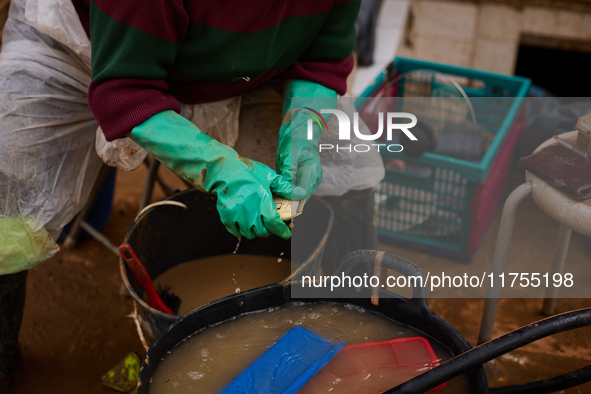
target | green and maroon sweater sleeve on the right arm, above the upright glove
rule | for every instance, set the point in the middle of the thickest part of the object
(328, 60)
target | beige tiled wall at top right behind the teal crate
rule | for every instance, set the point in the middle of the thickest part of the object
(484, 36)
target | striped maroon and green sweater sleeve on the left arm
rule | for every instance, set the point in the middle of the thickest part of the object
(133, 43)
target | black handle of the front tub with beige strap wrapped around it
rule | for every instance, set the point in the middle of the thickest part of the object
(376, 261)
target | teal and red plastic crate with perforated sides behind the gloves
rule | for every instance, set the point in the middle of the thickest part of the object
(448, 207)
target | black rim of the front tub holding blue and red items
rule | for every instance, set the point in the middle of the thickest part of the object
(414, 313)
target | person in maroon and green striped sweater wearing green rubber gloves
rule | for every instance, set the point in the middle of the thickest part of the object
(148, 59)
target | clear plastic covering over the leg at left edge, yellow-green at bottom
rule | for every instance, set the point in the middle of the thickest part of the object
(48, 163)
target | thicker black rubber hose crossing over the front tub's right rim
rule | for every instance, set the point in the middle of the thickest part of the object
(493, 349)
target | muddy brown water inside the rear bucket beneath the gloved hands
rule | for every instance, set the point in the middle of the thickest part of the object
(201, 281)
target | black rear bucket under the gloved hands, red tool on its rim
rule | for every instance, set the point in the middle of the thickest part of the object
(167, 235)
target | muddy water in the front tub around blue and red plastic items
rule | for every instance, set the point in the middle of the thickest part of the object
(207, 361)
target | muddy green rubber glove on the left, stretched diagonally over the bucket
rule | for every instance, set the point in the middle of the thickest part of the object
(243, 187)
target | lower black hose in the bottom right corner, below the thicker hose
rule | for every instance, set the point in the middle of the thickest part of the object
(551, 385)
